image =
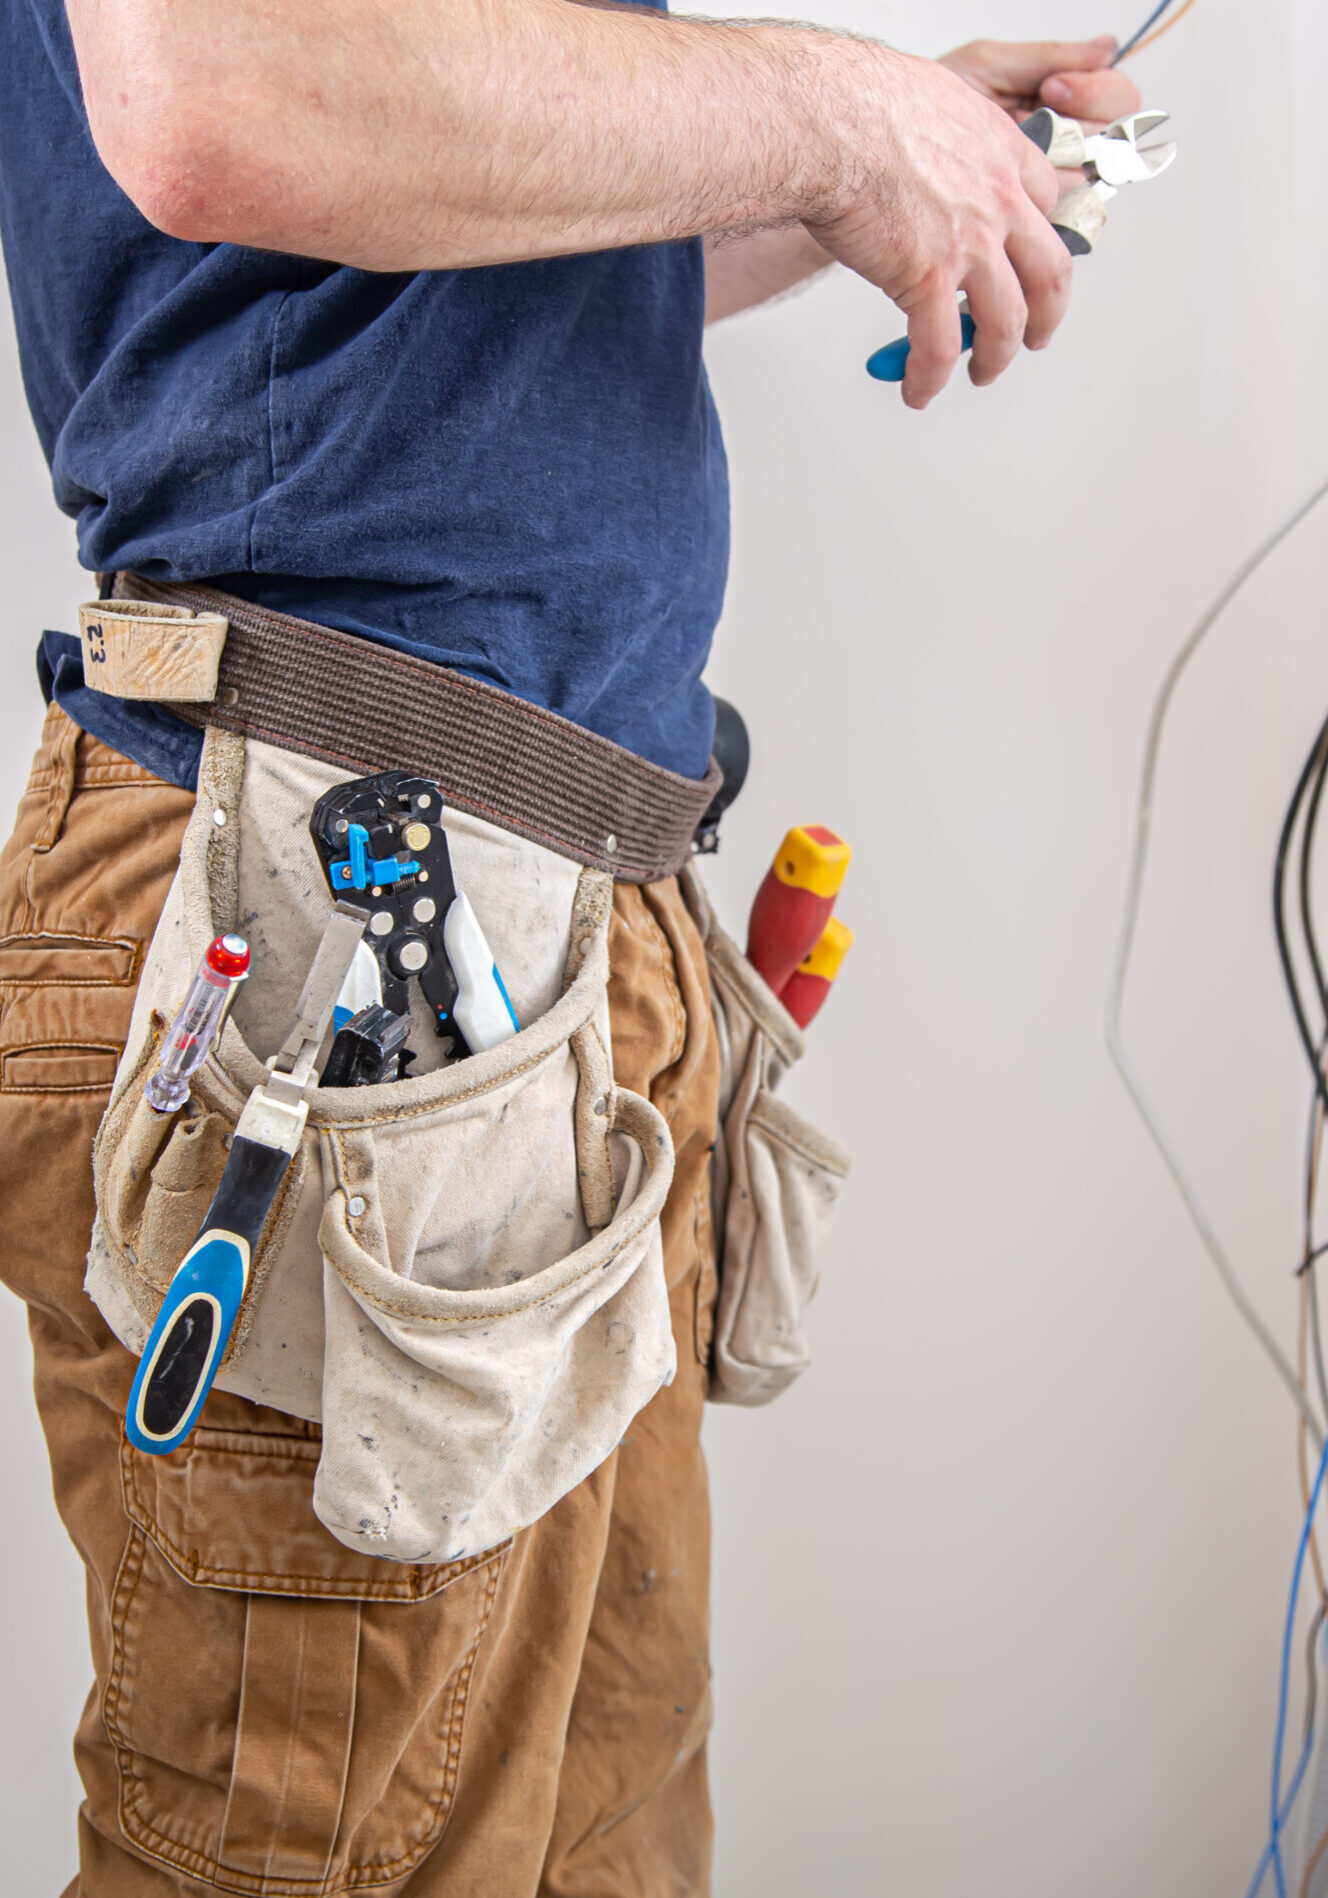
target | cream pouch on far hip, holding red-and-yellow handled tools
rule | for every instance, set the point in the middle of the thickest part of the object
(775, 1183)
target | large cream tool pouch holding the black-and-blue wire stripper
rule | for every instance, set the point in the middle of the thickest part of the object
(462, 1276)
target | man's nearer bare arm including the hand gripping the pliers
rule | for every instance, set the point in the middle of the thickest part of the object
(449, 134)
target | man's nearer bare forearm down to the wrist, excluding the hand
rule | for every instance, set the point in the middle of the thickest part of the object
(439, 136)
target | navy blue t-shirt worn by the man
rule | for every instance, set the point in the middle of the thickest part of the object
(515, 472)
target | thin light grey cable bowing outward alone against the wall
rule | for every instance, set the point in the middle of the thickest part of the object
(1130, 923)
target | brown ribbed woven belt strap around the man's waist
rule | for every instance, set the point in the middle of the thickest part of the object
(369, 709)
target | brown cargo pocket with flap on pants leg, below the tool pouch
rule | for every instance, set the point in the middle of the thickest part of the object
(287, 1717)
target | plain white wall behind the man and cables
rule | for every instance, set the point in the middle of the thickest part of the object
(1001, 1586)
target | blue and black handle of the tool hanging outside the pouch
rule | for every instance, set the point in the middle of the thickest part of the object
(198, 1314)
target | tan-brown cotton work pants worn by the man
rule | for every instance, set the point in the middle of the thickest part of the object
(536, 1728)
